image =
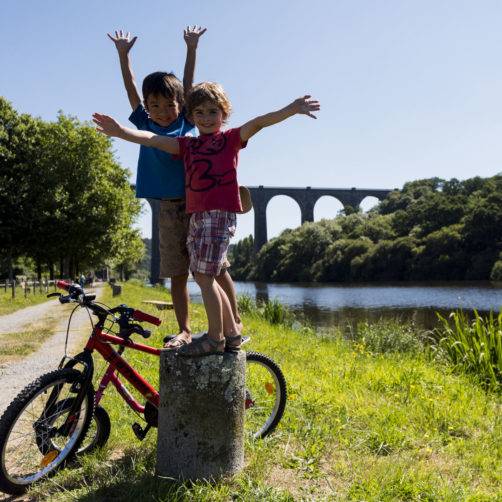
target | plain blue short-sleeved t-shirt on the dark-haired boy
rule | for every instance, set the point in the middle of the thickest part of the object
(159, 176)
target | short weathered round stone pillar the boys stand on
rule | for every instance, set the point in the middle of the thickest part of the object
(201, 416)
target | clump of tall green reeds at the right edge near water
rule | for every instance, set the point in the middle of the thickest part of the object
(473, 346)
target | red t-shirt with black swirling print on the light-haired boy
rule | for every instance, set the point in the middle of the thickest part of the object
(211, 171)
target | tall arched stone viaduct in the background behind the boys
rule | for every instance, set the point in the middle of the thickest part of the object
(306, 199)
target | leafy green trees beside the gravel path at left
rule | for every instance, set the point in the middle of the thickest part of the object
(65, 203)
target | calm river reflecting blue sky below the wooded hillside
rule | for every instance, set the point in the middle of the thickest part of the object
(328, 305)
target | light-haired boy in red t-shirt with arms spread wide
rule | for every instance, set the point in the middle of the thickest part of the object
(212, 194)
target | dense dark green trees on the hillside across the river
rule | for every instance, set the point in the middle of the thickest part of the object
(432, 229)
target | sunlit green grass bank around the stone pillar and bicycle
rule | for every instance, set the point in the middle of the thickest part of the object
(364, 422)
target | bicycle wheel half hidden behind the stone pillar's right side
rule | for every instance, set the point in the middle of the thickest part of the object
(266, 395)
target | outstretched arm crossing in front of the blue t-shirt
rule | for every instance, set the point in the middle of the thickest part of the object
(109, 126)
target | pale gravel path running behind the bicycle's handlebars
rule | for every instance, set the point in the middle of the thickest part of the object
(16, 375)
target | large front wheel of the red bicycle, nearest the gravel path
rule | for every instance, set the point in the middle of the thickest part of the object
(30, 442)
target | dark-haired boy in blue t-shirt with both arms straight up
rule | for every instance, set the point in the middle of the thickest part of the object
(159, 176)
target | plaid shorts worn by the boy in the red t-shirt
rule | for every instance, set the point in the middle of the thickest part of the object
(208, 239)
